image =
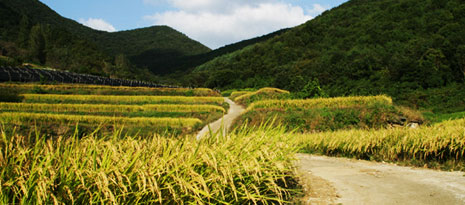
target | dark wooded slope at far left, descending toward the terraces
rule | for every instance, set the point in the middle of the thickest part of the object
(23, 40)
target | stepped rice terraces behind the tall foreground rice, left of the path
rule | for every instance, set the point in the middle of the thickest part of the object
(138, 114)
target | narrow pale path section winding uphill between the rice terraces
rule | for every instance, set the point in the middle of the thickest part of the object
(235, 111)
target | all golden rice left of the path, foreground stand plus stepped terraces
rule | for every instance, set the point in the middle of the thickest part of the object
(125, 149)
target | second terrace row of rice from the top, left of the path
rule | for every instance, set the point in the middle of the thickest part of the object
(108, 99)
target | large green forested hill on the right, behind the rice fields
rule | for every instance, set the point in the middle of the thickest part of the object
(361, 47)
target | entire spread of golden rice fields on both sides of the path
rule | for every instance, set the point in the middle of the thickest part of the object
(82, 148)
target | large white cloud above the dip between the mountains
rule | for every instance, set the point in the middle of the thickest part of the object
(220, 22)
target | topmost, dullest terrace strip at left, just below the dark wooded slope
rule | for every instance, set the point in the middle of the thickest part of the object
(83, 89)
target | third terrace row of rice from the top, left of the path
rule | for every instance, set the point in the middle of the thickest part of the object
(97, 108)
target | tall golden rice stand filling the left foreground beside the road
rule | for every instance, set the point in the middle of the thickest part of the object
(248, 167)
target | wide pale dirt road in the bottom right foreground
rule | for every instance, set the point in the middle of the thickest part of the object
(348, 181)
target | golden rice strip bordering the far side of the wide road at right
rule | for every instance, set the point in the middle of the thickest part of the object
(440, 142)
